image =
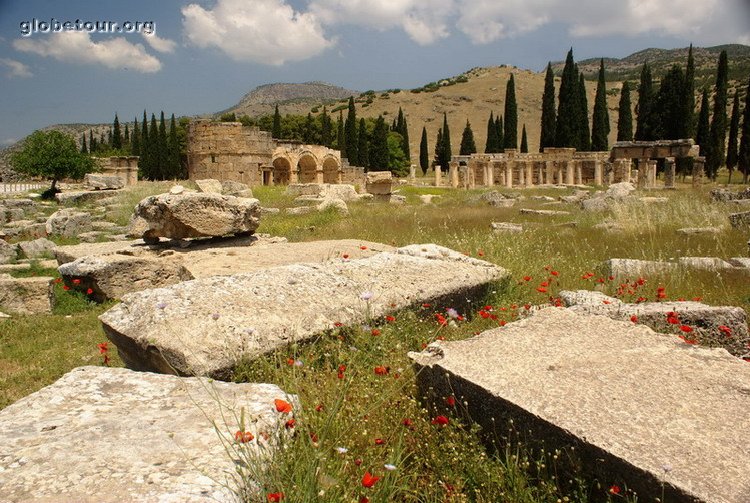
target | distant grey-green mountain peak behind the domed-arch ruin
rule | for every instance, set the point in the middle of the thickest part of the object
(291, 98)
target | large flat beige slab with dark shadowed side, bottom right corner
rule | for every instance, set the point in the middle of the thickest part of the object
(642, 410)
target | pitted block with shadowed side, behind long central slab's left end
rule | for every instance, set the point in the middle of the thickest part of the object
(112, 276)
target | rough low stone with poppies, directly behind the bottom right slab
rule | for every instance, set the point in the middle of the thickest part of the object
(705, 321)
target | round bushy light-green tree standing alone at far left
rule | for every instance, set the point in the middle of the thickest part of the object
(51, 155)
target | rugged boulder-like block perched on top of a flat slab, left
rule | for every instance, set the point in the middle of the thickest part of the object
(190, 215)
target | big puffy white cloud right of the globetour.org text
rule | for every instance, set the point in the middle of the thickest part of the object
(264, 31)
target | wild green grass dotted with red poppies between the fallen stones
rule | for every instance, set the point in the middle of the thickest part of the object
(376, 396)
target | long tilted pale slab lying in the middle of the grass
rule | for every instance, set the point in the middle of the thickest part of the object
(206, 326)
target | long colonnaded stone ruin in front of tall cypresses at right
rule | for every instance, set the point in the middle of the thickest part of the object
(566, 166)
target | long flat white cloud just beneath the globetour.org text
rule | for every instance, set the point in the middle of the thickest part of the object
(77, 47)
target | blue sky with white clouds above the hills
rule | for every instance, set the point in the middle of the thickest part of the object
(83, 61)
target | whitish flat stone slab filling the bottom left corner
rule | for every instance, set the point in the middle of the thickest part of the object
(111, 434)
